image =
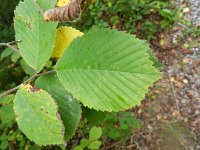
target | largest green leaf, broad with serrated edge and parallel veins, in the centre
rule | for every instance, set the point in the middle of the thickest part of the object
(107, 70)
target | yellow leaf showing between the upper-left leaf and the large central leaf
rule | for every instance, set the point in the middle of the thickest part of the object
(64, 37)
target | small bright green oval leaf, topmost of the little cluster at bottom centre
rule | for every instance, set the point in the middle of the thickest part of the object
(95, 133)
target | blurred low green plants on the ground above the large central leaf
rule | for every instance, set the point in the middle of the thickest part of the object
(144, 17)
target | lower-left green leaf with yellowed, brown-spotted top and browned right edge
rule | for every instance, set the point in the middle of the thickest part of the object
(37, 116)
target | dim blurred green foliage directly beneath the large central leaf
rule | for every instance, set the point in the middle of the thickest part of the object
(116, 126)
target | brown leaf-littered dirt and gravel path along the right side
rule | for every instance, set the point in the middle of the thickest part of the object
(171, 112)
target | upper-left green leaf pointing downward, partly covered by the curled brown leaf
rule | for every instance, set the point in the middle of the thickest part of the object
(36, 36)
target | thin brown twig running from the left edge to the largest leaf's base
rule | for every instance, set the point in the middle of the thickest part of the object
(28, 80)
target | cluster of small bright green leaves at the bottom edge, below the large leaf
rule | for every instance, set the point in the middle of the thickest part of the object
(93, 142)
